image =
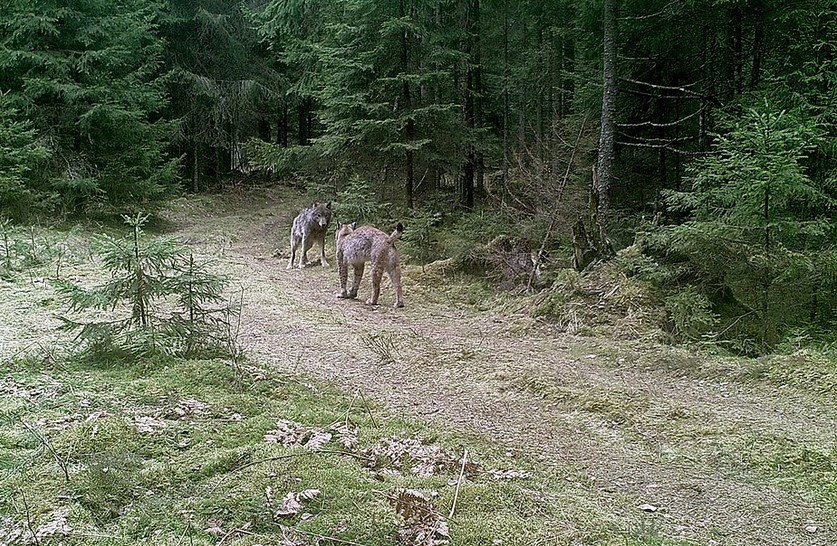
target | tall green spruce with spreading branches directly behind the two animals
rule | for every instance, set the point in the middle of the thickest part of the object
(380, 75)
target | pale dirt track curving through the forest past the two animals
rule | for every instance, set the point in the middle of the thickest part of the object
(587, 409)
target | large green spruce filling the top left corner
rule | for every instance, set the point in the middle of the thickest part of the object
(87, 75)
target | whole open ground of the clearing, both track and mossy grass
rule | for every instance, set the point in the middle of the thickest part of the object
(612, 441)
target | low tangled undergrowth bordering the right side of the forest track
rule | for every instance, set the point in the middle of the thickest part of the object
(661, 287)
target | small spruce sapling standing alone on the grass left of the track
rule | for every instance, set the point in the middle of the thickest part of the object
(170, 296)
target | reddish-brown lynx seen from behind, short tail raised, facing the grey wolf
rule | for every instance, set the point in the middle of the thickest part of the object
(355, 247)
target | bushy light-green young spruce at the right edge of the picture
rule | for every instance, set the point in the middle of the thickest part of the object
(761, 232)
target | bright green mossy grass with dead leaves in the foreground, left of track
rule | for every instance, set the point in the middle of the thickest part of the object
(211, 464)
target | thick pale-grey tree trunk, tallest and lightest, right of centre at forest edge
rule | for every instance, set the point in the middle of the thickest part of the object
(604, 164)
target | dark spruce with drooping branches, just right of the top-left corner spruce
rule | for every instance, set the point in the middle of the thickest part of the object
(223, 87)
